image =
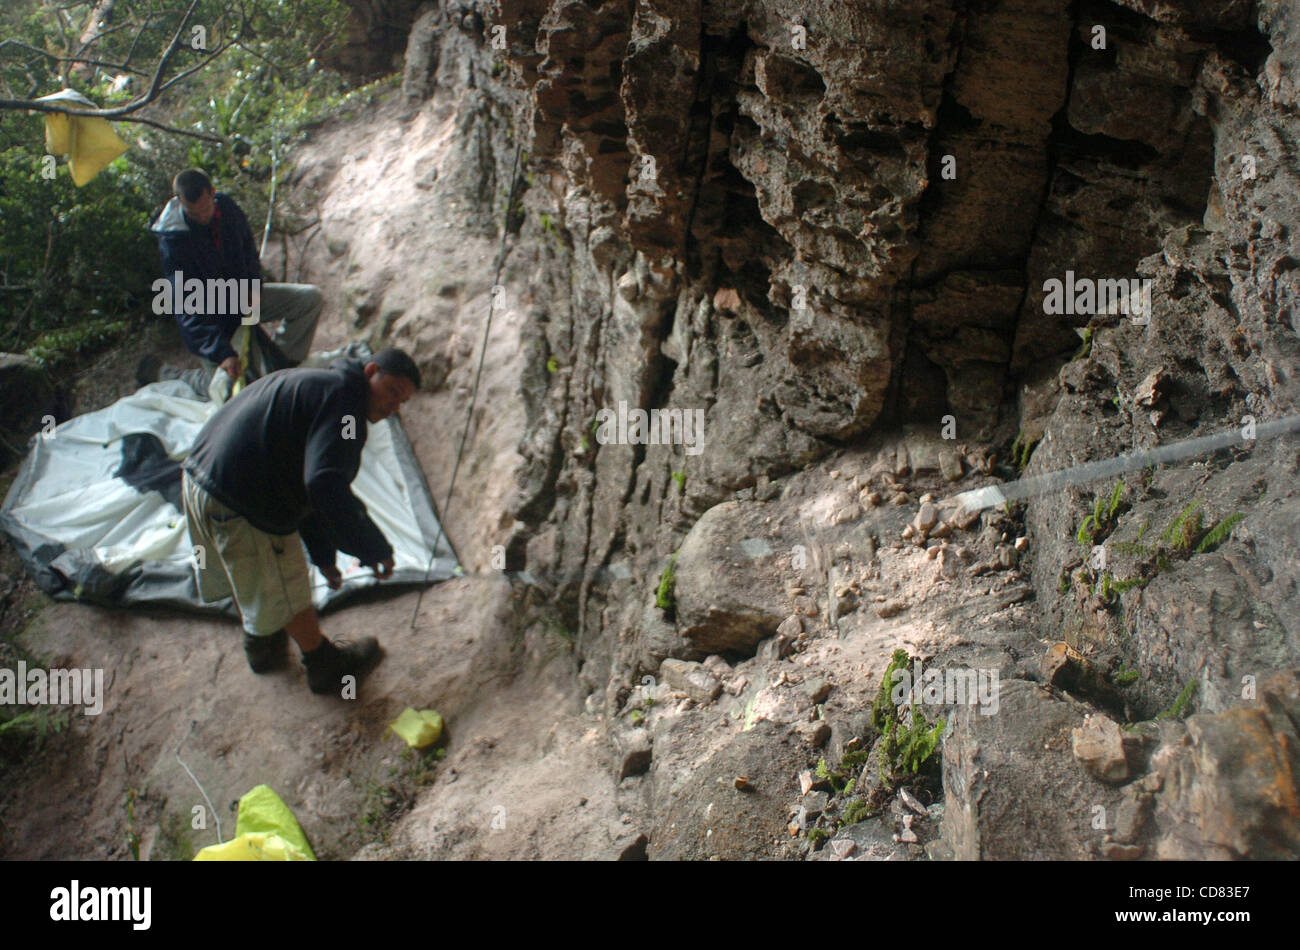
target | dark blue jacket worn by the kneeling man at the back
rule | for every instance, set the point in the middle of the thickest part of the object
(193, 250)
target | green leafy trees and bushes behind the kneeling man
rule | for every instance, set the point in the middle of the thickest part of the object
(71, 257)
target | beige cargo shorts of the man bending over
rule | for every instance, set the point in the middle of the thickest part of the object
(266, 574)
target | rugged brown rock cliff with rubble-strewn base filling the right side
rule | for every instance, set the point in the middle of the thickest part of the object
(831, 227)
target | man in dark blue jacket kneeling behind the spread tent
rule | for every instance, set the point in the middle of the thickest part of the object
(213, 285)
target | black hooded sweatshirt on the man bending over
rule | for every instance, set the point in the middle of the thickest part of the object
(280, 456)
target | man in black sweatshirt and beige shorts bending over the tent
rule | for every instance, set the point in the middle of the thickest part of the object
(274, 466)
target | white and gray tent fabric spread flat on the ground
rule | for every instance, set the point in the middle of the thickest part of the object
(96, 513)
